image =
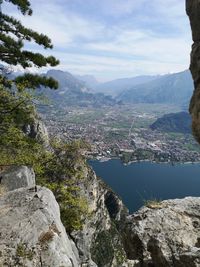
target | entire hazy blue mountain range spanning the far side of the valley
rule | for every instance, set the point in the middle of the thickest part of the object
(85, 90)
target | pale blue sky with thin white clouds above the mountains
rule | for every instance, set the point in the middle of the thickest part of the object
(112, 39)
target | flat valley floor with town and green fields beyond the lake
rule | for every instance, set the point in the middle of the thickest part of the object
(123, 131)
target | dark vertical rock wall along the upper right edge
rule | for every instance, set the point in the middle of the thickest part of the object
(193, 11)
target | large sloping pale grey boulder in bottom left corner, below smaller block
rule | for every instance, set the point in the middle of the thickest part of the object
(31, 232)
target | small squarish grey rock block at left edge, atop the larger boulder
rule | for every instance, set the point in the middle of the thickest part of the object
(16, 177)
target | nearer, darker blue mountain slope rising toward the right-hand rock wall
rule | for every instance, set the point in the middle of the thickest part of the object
(173, 89)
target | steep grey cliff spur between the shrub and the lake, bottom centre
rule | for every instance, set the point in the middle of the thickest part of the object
(100, 241)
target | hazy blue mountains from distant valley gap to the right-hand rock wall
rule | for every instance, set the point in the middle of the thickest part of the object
(173, 88)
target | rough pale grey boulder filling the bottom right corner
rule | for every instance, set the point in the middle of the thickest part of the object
(166, 234)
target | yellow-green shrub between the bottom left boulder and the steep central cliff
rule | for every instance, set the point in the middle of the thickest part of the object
(61, 175)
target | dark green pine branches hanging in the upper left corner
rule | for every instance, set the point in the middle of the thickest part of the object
(13, 36)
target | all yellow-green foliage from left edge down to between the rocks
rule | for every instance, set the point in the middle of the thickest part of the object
(60, 169)
